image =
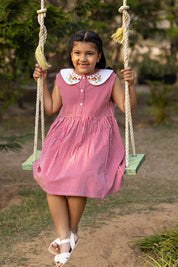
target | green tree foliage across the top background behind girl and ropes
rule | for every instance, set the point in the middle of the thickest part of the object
(19, 33)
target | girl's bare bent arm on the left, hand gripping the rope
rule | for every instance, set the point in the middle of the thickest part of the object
(52, 103)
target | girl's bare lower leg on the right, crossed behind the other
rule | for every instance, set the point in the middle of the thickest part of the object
(76, 206)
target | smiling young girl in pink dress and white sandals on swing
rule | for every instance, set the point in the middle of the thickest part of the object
(83, 154)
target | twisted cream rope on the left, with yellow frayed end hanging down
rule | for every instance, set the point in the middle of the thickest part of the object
(39, 53)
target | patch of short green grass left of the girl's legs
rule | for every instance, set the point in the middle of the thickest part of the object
(26, 220)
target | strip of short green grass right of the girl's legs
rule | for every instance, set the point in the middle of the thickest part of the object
(134, 198)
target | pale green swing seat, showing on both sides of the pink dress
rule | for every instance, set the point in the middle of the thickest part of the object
(134, 163)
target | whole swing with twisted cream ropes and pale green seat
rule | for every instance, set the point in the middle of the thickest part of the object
(134, 161)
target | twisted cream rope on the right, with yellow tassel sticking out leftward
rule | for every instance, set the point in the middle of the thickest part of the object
(122, 36)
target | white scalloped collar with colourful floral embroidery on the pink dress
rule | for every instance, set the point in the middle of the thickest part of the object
(98, 78)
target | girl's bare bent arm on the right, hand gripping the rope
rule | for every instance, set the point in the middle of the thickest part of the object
(118, 93)
